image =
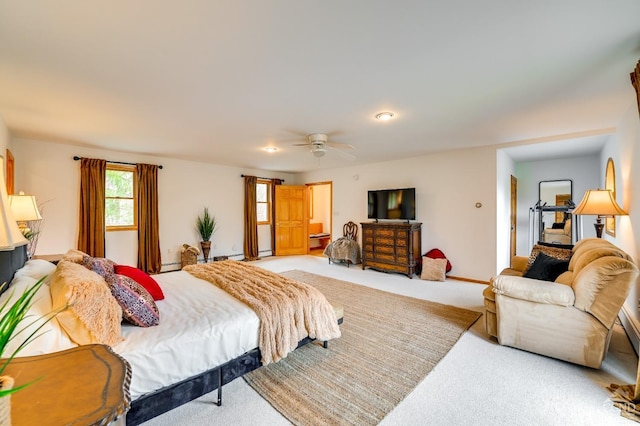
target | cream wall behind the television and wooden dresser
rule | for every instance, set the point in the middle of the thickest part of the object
(448, 185)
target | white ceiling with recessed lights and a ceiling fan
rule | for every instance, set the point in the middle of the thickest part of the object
(218, 81)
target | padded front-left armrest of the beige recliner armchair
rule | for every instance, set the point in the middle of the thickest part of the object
(537, 291)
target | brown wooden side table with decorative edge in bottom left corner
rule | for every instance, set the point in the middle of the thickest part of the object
(81, 386)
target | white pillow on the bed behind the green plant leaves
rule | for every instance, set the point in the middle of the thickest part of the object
(52, 337)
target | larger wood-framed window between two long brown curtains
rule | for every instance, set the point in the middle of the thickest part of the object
(120, 198)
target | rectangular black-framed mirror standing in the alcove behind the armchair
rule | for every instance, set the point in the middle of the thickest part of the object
(554, 211)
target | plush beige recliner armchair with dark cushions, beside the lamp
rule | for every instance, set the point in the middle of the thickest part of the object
(570, 318)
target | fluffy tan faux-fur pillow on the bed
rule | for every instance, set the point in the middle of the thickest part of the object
(93, 315)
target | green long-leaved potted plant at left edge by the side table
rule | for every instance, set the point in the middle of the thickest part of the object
(12, 316)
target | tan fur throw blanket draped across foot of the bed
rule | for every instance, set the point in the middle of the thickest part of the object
(288, 310)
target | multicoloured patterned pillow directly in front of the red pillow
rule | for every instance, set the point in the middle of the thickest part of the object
(137, 304)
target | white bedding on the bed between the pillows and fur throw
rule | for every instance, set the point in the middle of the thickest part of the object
(201, 327)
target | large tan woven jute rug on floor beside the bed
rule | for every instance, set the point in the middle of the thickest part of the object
(389, 344)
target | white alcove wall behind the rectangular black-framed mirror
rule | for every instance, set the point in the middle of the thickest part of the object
(583, 171)
